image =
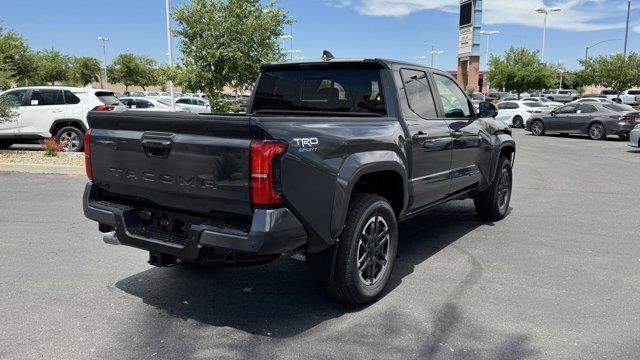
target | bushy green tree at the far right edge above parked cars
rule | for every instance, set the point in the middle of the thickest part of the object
(612, 72)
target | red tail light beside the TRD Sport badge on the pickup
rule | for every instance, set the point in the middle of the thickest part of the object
(263, 154)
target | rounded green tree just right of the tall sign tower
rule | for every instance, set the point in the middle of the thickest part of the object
(520, 70)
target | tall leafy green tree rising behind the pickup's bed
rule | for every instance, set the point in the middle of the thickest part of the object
(223, 43)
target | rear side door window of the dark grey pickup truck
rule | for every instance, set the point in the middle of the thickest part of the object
(418, 92)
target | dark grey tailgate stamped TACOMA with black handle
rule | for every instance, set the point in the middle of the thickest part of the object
(185, 162)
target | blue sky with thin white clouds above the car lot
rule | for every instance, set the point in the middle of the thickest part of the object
(399, 29)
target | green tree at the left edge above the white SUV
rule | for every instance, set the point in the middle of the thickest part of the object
(16, 54)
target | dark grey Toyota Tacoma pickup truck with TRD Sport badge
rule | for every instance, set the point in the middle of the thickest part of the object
(329, 158)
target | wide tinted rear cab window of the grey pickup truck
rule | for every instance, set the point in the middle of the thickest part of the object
(349, 90)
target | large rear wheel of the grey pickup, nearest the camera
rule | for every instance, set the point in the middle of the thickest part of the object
(368, 215)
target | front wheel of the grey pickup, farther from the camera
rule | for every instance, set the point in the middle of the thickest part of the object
(492, 204)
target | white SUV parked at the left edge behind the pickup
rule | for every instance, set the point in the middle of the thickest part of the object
(53, 111)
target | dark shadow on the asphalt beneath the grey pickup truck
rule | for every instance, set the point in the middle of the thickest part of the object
(280, 299)
